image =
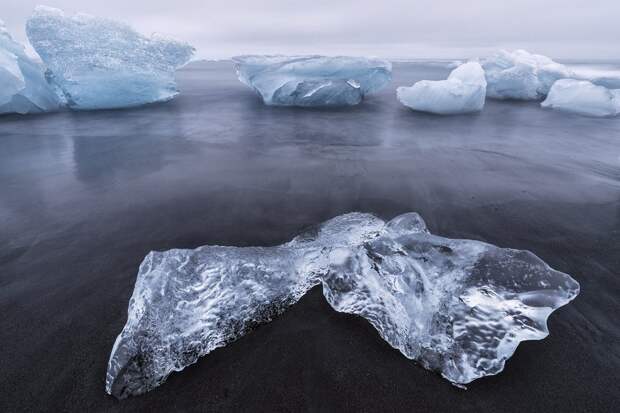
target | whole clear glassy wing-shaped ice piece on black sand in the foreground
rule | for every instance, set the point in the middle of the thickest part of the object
(458, 307)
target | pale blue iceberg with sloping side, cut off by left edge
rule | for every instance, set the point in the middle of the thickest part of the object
(23, 88)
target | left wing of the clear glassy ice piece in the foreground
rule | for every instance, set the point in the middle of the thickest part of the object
(186, 303)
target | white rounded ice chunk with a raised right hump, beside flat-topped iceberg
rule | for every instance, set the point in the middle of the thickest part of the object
(463, 92)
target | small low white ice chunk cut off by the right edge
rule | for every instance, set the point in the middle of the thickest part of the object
(584, 98)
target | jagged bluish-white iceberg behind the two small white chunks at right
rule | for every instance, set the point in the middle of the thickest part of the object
(521, 75)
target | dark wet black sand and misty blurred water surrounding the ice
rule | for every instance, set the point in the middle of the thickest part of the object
(84, 196)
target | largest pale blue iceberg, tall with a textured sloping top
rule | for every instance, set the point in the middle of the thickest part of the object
(97, 63)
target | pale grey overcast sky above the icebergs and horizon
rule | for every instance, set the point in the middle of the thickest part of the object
(386, 28)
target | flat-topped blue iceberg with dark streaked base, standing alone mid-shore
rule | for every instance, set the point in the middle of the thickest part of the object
(309, 81)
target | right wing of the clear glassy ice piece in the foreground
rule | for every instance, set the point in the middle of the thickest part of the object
(458, 307)
